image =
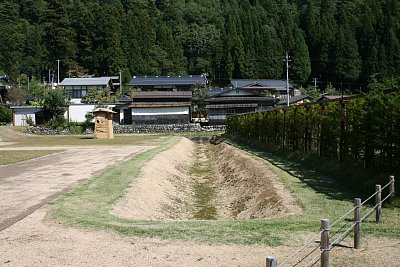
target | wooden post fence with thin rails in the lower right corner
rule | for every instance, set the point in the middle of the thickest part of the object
(311, 253)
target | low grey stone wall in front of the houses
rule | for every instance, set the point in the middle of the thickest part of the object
(135, 129)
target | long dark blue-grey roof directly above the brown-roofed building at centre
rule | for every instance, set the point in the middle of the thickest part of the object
(190, 80)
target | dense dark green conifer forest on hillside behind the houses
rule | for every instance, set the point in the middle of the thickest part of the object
(335, 41)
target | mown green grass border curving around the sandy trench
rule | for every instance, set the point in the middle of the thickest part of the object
(90, 205)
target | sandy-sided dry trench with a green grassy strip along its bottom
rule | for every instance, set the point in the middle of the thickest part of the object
(198, 180)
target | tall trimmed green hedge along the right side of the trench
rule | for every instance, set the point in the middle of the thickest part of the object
(362, 132)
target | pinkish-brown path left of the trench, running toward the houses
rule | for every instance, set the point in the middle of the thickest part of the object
(27, 186)
